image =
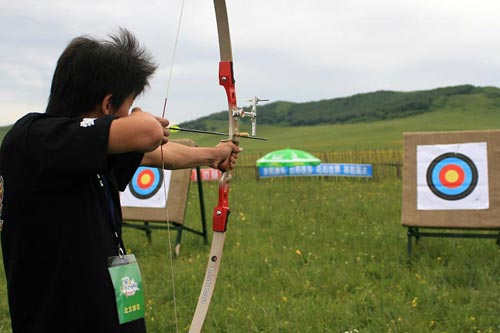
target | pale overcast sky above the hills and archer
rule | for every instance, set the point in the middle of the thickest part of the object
(283, 50)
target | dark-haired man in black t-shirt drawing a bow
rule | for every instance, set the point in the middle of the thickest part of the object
(62, 171)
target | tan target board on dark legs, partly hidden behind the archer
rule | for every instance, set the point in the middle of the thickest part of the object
(147, 206)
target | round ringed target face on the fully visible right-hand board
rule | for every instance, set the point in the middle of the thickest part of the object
(452, 176)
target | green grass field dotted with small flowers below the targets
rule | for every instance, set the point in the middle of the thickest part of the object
(319, 256)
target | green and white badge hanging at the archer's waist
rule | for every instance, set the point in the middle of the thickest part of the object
(127, 283)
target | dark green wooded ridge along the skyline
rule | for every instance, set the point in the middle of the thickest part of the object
(380, 105)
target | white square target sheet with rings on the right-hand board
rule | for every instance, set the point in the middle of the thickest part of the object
(452, 176)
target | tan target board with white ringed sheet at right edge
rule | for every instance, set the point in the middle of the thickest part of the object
(451, 185)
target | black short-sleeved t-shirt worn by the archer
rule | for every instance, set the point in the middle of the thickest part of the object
(57, 234)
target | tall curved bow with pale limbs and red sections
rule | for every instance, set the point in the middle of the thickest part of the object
(221, 211)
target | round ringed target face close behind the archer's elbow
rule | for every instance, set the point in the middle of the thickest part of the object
(146, 182)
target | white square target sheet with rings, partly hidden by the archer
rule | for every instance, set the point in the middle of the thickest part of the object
(146, 189)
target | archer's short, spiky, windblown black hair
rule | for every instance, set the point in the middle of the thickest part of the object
(90, 69)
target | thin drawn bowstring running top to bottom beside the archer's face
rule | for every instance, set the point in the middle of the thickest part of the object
(174, 51)
